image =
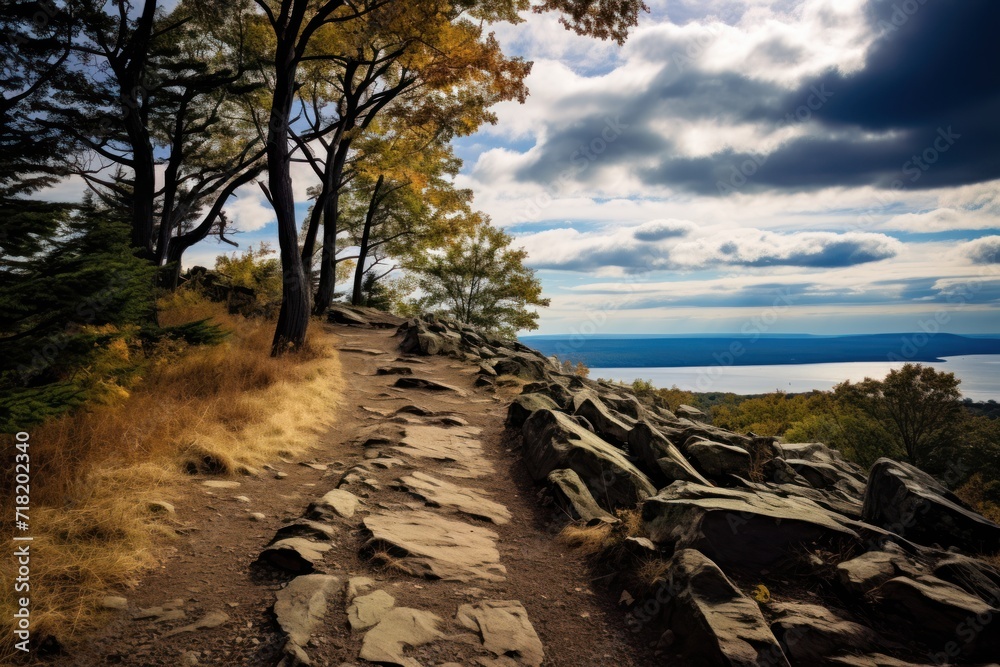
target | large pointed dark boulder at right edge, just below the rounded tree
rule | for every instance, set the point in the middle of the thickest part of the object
(907, 501)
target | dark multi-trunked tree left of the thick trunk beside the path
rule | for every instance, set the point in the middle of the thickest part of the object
(149, 90)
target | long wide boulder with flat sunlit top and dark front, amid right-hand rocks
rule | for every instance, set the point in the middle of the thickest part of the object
(743, 527)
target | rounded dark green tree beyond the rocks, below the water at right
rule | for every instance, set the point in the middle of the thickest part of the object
(919, 406)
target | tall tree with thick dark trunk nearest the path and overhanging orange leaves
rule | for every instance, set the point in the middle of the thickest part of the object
(410, 42)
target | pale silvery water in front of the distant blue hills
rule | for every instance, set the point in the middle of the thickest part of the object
(979, 373)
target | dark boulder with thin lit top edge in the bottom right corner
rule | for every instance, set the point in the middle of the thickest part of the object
(940, 615)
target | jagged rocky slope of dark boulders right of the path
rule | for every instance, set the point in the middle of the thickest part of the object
(772, 553)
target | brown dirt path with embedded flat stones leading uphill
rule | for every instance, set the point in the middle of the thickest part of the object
(440, 493)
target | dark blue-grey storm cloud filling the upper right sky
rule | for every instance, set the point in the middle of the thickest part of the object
(921, 113)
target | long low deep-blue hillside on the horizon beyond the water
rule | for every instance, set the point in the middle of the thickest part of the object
(639, 352)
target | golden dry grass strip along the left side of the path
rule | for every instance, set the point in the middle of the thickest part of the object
(217, 410)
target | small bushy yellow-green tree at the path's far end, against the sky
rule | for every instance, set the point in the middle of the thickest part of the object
(482, 281)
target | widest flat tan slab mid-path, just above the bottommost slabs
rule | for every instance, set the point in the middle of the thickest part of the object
(436, 547)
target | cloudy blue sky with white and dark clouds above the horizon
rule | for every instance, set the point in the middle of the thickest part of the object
(772, 166)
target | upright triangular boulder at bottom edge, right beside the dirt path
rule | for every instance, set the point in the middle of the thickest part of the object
(710, 621)
